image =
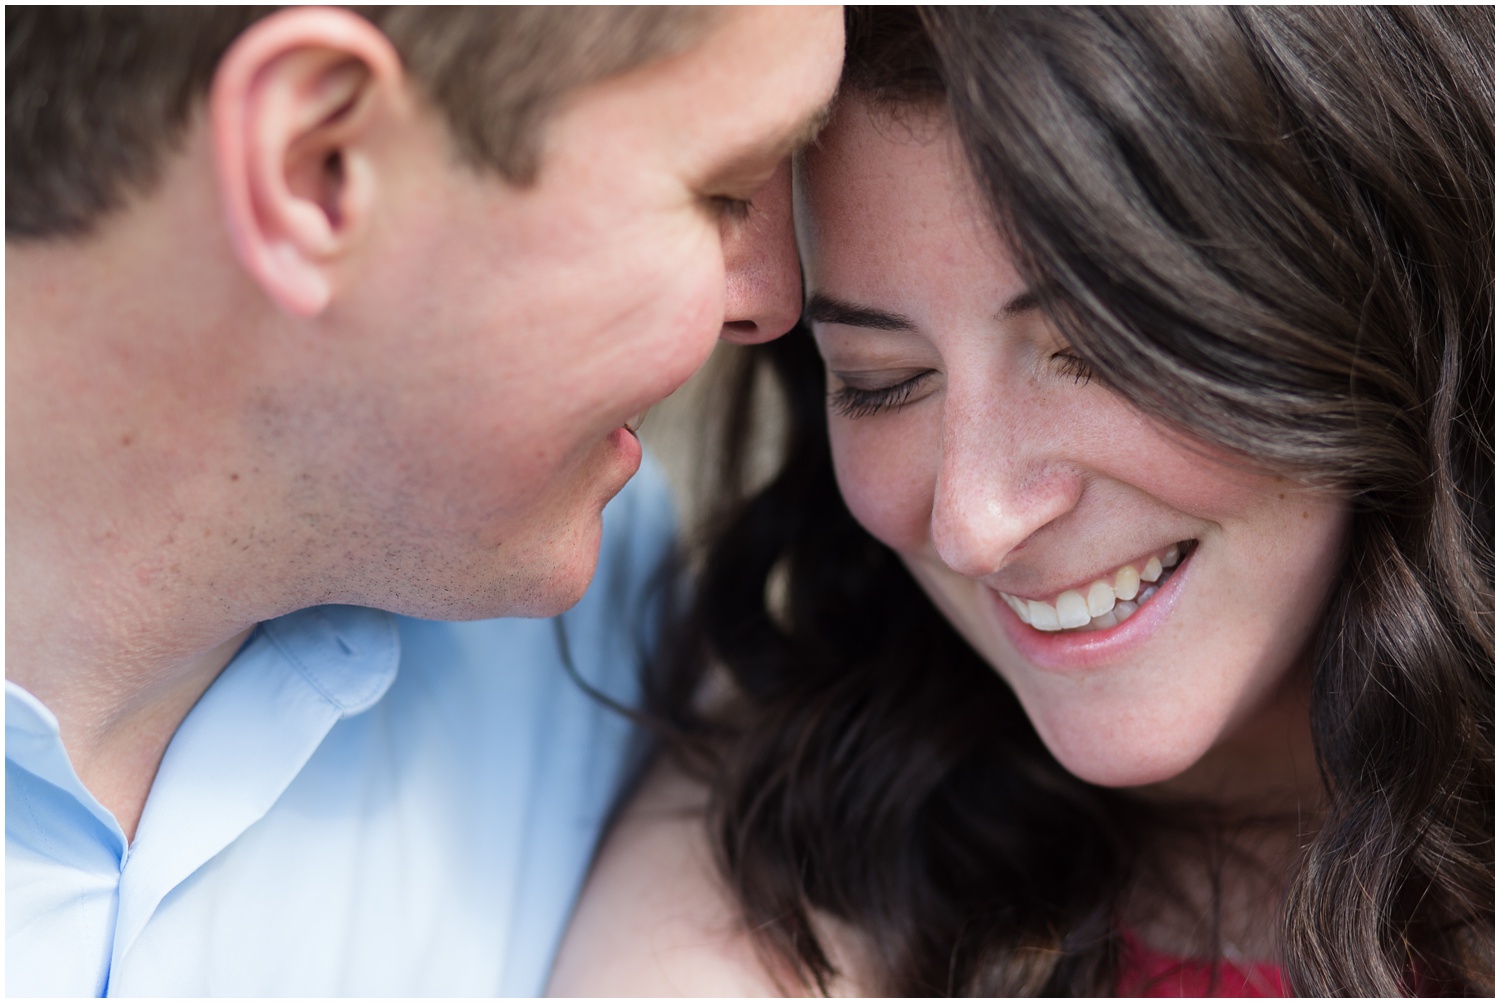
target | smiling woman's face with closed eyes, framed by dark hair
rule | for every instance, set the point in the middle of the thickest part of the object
(1147, 602)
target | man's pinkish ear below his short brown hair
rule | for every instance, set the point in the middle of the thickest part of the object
(292, 113)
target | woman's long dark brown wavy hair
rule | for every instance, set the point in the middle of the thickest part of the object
(1273, 229)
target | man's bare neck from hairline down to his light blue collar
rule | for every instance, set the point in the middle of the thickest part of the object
(130, 576)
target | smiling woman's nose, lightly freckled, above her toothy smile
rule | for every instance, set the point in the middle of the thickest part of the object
(1000, 481)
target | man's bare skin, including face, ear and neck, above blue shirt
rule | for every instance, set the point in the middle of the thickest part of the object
(323, 362)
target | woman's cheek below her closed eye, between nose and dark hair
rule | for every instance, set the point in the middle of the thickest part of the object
(887, 470)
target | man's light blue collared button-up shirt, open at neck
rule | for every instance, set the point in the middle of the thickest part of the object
(361, 804)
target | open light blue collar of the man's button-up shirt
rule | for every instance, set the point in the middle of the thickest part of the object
(236, 752)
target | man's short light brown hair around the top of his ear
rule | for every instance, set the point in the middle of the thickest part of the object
(98, 97)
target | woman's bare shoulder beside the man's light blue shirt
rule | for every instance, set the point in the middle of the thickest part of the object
(655, 918)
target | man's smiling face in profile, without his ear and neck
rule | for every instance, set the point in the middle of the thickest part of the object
(475, 425)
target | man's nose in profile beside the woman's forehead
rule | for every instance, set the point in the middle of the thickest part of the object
(764, 283)
